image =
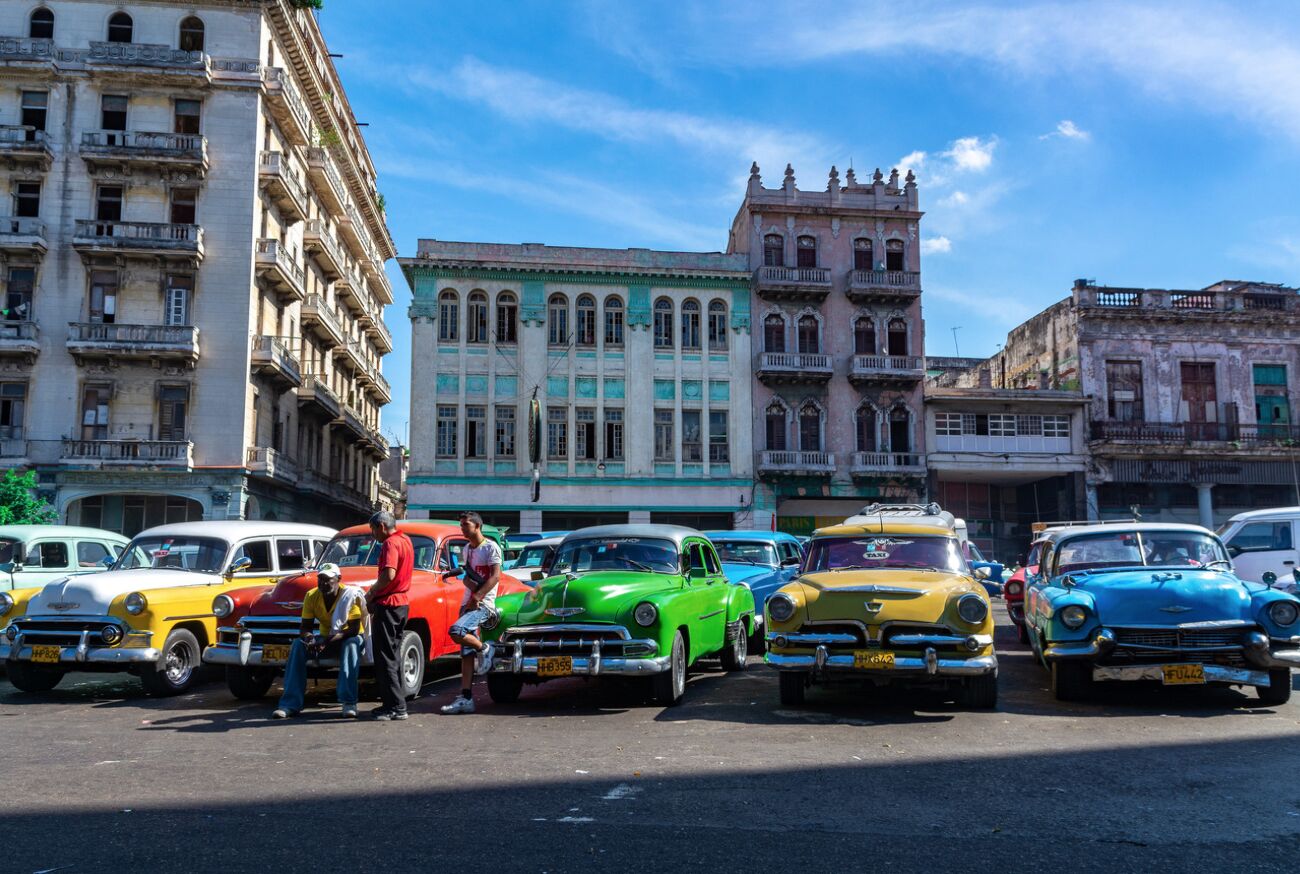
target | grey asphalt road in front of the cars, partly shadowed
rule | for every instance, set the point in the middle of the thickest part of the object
(99, 778)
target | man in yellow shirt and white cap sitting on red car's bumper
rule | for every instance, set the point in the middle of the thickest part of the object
(332, 629)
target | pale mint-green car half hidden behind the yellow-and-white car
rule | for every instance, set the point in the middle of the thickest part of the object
(33, 556)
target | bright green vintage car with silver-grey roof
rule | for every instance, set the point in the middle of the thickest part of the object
(623, 602)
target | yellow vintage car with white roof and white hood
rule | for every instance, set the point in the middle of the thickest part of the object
(151, 613)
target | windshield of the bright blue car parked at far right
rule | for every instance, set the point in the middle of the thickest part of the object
(1138, 550)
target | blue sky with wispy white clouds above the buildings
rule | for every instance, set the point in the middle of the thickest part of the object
(1133, 144)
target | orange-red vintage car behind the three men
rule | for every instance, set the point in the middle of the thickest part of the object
(259, 625)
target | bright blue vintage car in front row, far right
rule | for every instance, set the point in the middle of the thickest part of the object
(1138, 602)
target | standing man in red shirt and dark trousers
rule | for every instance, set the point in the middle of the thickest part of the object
(389, 600)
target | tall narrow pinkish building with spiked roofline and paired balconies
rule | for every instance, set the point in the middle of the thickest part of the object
(839, 356)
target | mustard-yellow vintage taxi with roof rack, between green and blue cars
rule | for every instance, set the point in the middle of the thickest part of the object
(887, 600)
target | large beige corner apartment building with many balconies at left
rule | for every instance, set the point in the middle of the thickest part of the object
(192, 262)
